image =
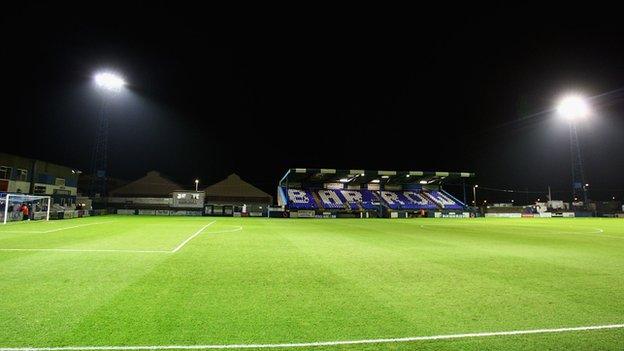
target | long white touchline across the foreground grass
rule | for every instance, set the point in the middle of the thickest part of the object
(318, 343)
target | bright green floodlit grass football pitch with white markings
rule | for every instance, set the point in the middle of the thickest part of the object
(132, 283)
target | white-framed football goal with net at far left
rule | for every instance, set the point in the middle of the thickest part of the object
(20, 207)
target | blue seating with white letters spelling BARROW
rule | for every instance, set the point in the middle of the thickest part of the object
(364, 199)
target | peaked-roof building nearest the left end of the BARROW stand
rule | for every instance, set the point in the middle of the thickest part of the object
(233, 196)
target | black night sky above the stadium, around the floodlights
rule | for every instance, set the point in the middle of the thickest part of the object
(459, 92)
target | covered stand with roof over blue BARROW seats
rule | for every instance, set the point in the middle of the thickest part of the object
(361, 191)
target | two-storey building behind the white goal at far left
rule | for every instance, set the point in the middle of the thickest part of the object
(30, 176)
